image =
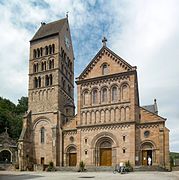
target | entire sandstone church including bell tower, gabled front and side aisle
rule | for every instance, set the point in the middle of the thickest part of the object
(110, 125)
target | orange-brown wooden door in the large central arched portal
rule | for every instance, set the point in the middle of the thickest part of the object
(105, 157)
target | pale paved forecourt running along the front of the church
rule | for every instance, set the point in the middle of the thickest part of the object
(5, 175)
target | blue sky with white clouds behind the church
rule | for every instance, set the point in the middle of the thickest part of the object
(143, 32)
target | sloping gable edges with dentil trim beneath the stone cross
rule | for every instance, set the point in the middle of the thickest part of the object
(100, 51)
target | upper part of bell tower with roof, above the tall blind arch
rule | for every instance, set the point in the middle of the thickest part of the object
(51, 69)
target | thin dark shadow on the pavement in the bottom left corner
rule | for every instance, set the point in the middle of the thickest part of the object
(18, 177)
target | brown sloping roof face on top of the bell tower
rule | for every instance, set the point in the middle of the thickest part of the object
(49, 29)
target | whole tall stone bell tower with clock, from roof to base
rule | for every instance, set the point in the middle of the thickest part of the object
(51, 94)
